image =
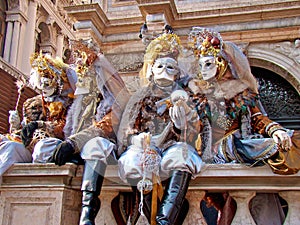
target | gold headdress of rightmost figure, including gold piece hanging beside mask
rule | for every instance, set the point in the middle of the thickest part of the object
(207, 42)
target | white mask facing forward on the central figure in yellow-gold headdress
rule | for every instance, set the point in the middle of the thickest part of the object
(164, 71)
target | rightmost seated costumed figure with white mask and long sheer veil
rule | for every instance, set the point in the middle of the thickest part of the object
(239, 130)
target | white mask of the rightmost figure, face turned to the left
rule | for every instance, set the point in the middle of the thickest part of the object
(208, 67)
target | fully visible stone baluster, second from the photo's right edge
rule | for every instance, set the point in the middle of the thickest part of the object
(242, 215)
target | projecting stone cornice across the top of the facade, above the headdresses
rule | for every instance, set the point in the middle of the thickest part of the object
(239, 19)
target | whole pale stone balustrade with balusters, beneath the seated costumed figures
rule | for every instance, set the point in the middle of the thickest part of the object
(46, 194)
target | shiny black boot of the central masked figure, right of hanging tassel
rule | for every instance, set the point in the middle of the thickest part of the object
(173, 198)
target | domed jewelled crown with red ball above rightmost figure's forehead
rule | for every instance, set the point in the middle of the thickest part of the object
(205, 41)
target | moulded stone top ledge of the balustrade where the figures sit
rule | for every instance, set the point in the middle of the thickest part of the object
(213, 177)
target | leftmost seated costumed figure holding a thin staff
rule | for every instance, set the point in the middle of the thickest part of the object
(43, 115)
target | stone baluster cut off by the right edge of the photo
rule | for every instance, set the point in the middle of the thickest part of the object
(293, 200)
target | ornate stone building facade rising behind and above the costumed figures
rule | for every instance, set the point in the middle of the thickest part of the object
(267, 31)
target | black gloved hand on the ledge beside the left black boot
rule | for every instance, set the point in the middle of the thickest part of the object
(63, 153)
